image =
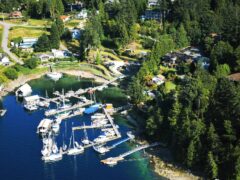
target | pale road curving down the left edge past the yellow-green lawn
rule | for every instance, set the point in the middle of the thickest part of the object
(5, 48)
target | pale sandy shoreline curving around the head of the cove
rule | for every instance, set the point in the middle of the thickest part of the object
(22, 79)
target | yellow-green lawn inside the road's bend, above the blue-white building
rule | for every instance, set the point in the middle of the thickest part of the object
(26, 32)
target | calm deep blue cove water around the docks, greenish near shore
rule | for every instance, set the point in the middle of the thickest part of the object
(20, 146)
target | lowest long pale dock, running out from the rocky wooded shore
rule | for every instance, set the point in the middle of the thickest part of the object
(114, 160)
